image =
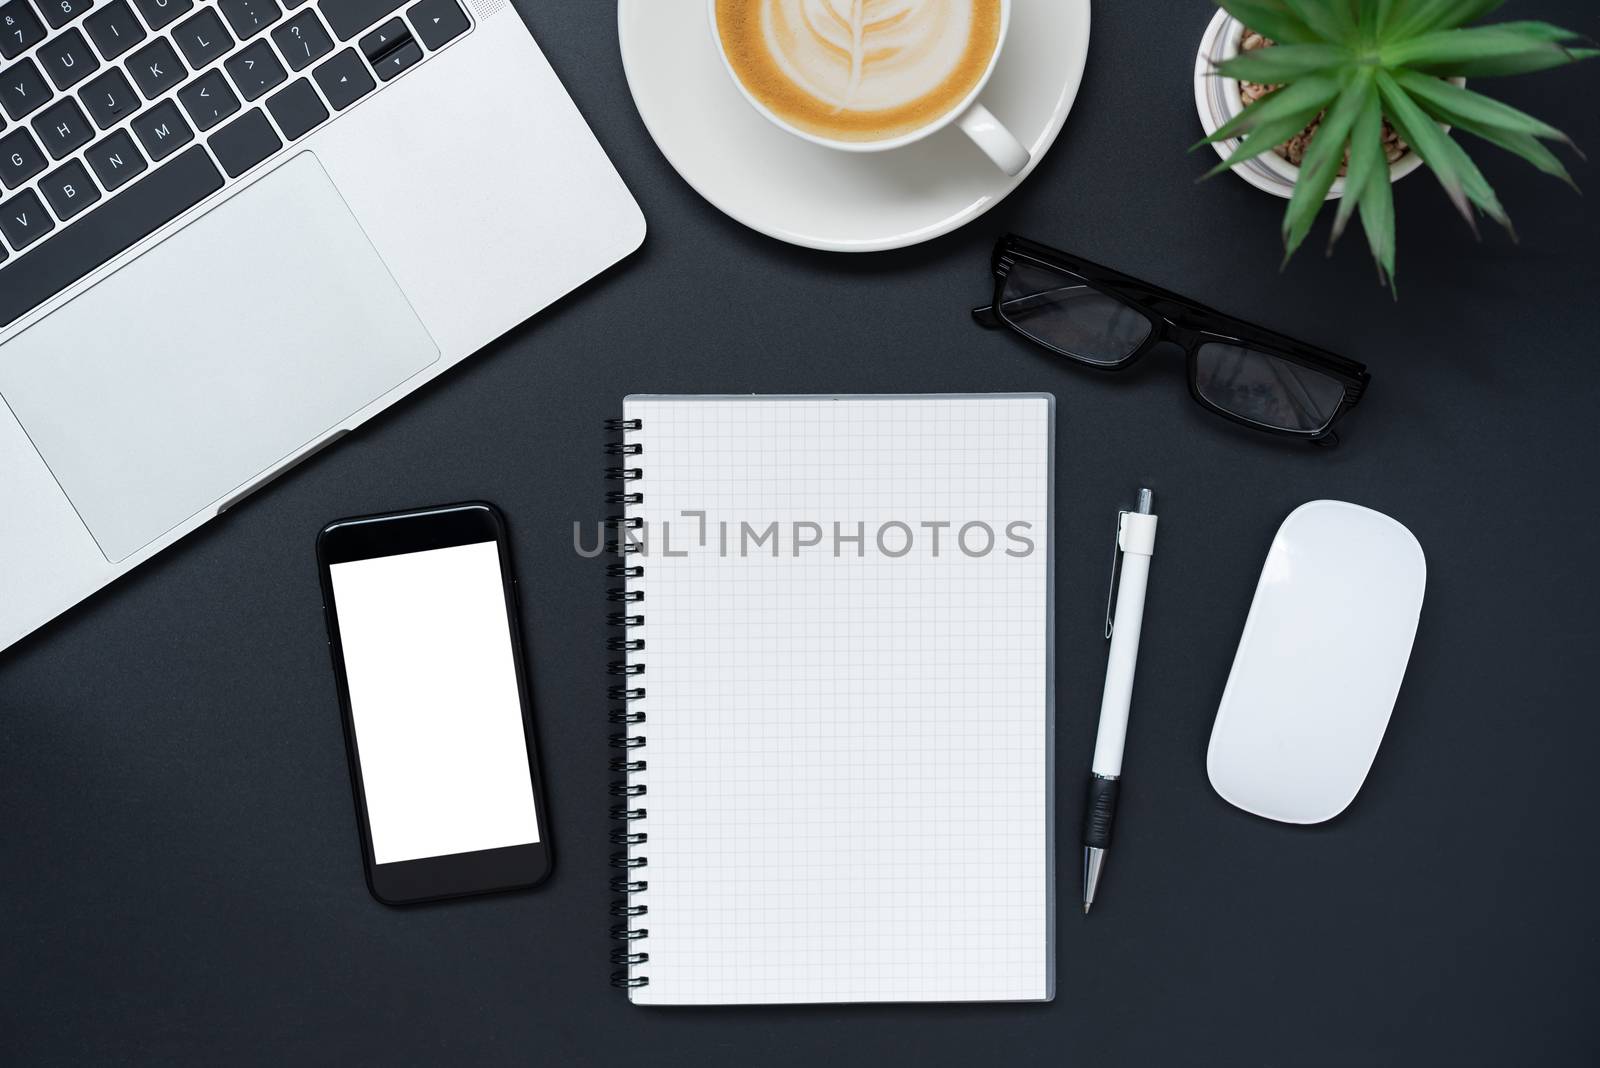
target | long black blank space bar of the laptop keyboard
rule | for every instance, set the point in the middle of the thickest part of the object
(132, 215)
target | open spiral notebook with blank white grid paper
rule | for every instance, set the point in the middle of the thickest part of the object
(833, 626)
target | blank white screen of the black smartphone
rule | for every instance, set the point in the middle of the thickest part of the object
(434, 699)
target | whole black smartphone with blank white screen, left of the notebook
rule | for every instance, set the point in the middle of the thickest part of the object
(422, 613)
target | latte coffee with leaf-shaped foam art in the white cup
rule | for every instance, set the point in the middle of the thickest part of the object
(860, 70)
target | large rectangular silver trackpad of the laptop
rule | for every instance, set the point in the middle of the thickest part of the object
(212, 359)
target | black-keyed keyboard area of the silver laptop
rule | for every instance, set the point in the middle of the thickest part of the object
(119, 116)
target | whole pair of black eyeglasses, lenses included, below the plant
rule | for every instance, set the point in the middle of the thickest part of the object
(1108, 321)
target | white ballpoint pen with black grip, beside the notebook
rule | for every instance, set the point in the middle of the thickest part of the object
(1135, 548)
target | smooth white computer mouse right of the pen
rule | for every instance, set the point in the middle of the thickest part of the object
(1319, 666)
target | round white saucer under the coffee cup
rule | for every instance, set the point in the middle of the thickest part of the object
(806, 194)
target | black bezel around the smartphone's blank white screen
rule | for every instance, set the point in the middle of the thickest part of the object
(390, 535)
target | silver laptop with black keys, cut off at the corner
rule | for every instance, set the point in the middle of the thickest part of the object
(233, 231)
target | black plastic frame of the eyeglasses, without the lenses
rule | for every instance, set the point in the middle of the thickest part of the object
(1178, 321)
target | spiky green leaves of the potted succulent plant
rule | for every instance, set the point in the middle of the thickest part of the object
(1359, 63)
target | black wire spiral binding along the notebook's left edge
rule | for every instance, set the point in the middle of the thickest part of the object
(628, 747)
